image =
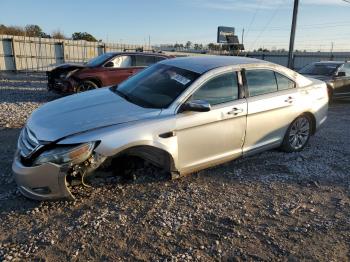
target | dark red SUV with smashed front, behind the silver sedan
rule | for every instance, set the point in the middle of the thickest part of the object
(104, 70)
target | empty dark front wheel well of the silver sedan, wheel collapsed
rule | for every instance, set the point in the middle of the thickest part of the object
(154, 155)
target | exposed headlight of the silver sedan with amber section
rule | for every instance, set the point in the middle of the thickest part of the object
(66, 154)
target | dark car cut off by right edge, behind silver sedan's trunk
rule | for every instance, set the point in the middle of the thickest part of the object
(335, 73)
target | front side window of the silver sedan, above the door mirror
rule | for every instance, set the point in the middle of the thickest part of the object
(220, 89)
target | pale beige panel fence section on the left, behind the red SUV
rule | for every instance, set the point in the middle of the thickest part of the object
(42, 54)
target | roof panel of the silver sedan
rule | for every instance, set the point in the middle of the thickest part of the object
(202, 64)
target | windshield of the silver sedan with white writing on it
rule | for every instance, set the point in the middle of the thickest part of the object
(157, 86)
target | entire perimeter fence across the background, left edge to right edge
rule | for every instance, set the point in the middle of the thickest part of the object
(18, 53)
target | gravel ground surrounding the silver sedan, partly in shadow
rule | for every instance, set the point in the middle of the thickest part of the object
(272, 206)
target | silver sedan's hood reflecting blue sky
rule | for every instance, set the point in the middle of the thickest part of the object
(82, 112)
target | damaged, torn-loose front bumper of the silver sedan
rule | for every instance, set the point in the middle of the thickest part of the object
(49, 181)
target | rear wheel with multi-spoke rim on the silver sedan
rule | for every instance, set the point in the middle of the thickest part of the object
(297, 135)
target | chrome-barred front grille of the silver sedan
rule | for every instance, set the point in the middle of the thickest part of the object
(28, 143)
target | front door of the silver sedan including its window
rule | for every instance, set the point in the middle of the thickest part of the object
(216, 136)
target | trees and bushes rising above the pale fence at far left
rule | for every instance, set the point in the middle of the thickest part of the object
(36, 31)
